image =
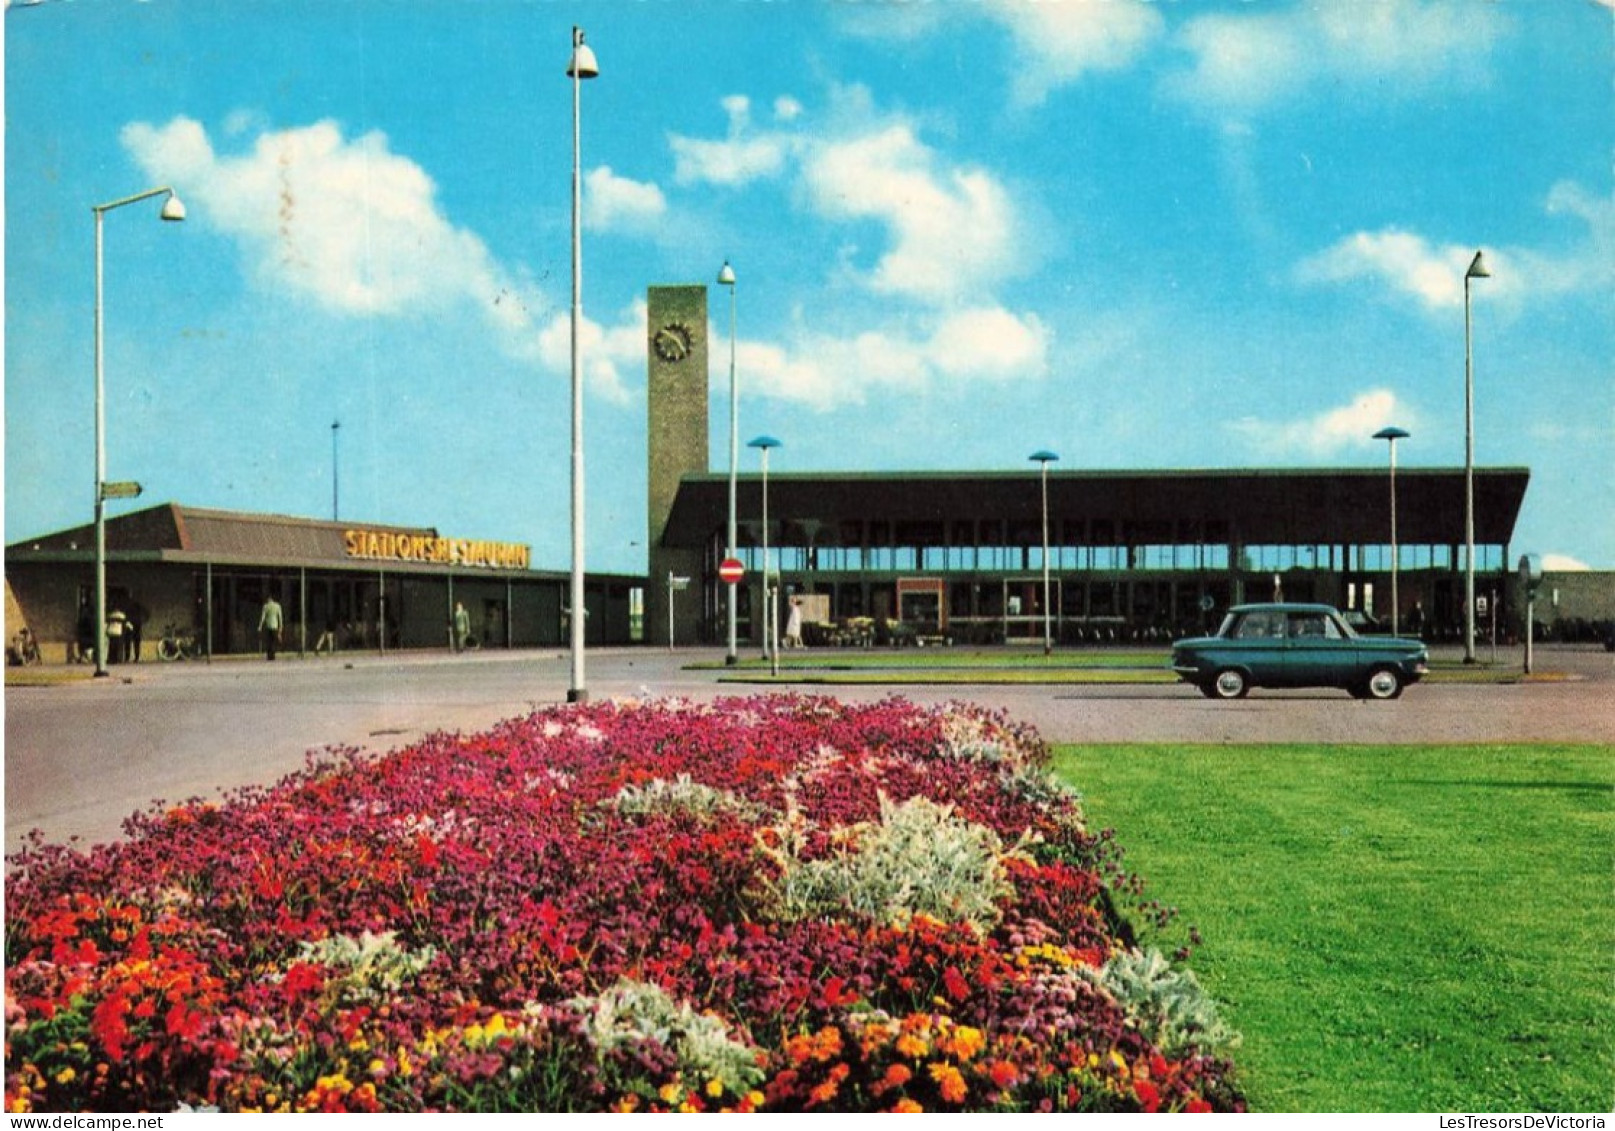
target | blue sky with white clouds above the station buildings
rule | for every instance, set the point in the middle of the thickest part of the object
(1144, 235)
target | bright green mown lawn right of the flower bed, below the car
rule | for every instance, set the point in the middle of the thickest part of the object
(1393, 930)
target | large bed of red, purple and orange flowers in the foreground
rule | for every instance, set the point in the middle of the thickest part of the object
(771, 904)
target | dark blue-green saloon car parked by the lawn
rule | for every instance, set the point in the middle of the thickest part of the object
(1298, 645)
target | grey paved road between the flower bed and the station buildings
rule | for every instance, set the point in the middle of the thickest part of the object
(80, 757)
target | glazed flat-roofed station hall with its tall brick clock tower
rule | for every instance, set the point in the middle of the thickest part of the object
(960, 555)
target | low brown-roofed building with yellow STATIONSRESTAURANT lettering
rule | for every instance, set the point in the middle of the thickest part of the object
(375, 587)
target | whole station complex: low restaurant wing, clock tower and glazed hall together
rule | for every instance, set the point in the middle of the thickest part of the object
(931, 555)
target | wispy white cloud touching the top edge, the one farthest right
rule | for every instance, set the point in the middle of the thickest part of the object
(1246, 62)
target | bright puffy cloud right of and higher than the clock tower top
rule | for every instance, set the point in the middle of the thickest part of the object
(952, 229)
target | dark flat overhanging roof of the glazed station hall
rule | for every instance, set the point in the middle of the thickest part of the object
(1315, 507)
